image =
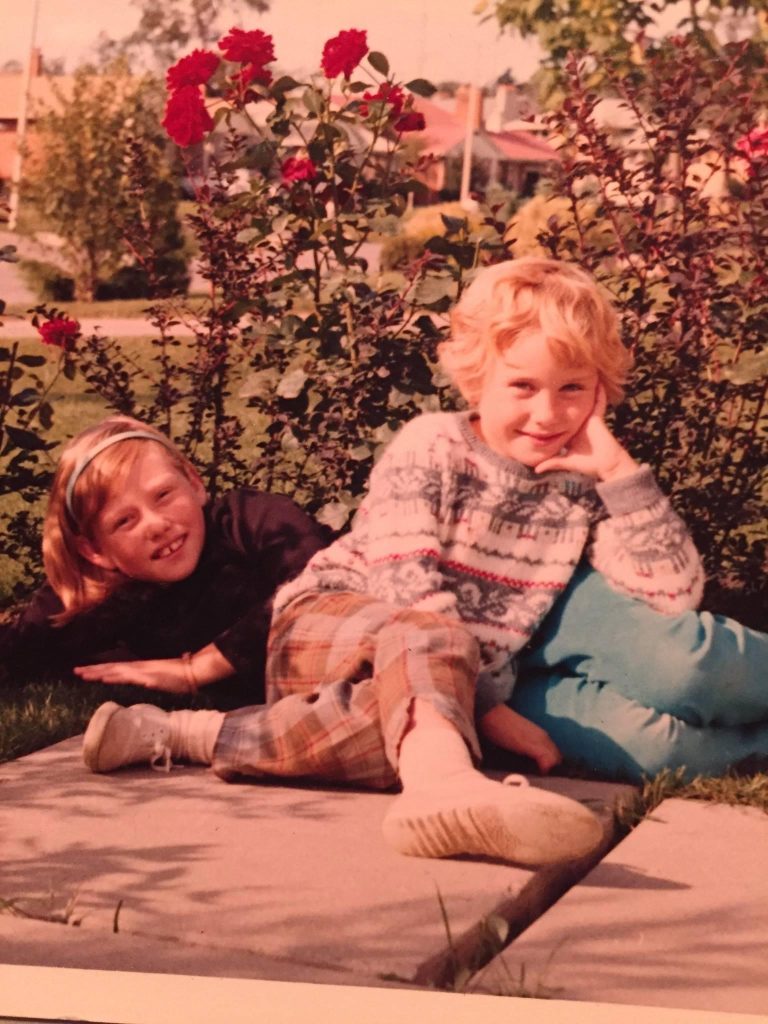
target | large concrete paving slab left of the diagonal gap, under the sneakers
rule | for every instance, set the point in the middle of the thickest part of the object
(253, 881)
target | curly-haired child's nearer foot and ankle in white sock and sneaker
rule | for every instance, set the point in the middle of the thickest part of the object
(449, 808)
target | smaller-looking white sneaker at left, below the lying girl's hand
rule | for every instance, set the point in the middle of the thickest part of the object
(119, 737)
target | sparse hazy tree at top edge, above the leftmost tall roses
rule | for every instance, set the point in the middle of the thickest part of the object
(168, 27)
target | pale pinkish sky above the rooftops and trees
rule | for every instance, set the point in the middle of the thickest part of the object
(436, 39)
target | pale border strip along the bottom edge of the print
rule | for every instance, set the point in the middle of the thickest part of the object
(123, 998)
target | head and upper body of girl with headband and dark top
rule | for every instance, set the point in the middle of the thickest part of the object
(149, 580)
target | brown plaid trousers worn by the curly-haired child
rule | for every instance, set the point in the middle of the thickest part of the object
(343, 672)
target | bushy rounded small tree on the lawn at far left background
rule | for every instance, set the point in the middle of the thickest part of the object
(80, 176)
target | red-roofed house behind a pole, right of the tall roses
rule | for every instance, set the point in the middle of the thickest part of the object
(508, 150)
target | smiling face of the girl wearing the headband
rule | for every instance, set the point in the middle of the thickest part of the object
(154, 528)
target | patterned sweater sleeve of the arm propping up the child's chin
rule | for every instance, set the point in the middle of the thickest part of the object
(644, 548)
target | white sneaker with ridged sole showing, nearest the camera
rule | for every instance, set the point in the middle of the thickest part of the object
(515, 823)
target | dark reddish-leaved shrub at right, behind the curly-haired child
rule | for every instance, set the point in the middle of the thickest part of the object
(674, 222)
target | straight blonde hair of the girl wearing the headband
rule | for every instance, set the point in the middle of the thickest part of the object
(79, 583)
